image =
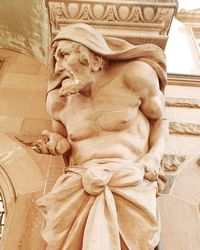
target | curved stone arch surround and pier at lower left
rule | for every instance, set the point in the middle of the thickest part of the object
(21, 185)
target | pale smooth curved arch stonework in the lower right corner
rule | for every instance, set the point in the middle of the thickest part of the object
(180, 209)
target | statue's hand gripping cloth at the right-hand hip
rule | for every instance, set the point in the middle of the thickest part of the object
(151, 166)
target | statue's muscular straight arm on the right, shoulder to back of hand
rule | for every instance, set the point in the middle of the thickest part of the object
(143, 80)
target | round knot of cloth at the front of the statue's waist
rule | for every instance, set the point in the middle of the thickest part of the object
(95, 180)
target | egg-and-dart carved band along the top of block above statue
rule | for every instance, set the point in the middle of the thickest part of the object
(128, 13)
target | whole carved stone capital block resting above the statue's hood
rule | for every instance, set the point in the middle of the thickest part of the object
(138, 22)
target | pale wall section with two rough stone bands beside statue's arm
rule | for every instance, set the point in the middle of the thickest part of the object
(183, 112)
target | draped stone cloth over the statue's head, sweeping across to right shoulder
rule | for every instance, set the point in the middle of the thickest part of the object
(113, 48)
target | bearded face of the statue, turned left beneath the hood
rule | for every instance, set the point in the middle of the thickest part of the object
(72, 67)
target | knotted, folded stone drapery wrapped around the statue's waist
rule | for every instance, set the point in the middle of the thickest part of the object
(101, 206)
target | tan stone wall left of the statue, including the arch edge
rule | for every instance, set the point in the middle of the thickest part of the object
(22, 118)
